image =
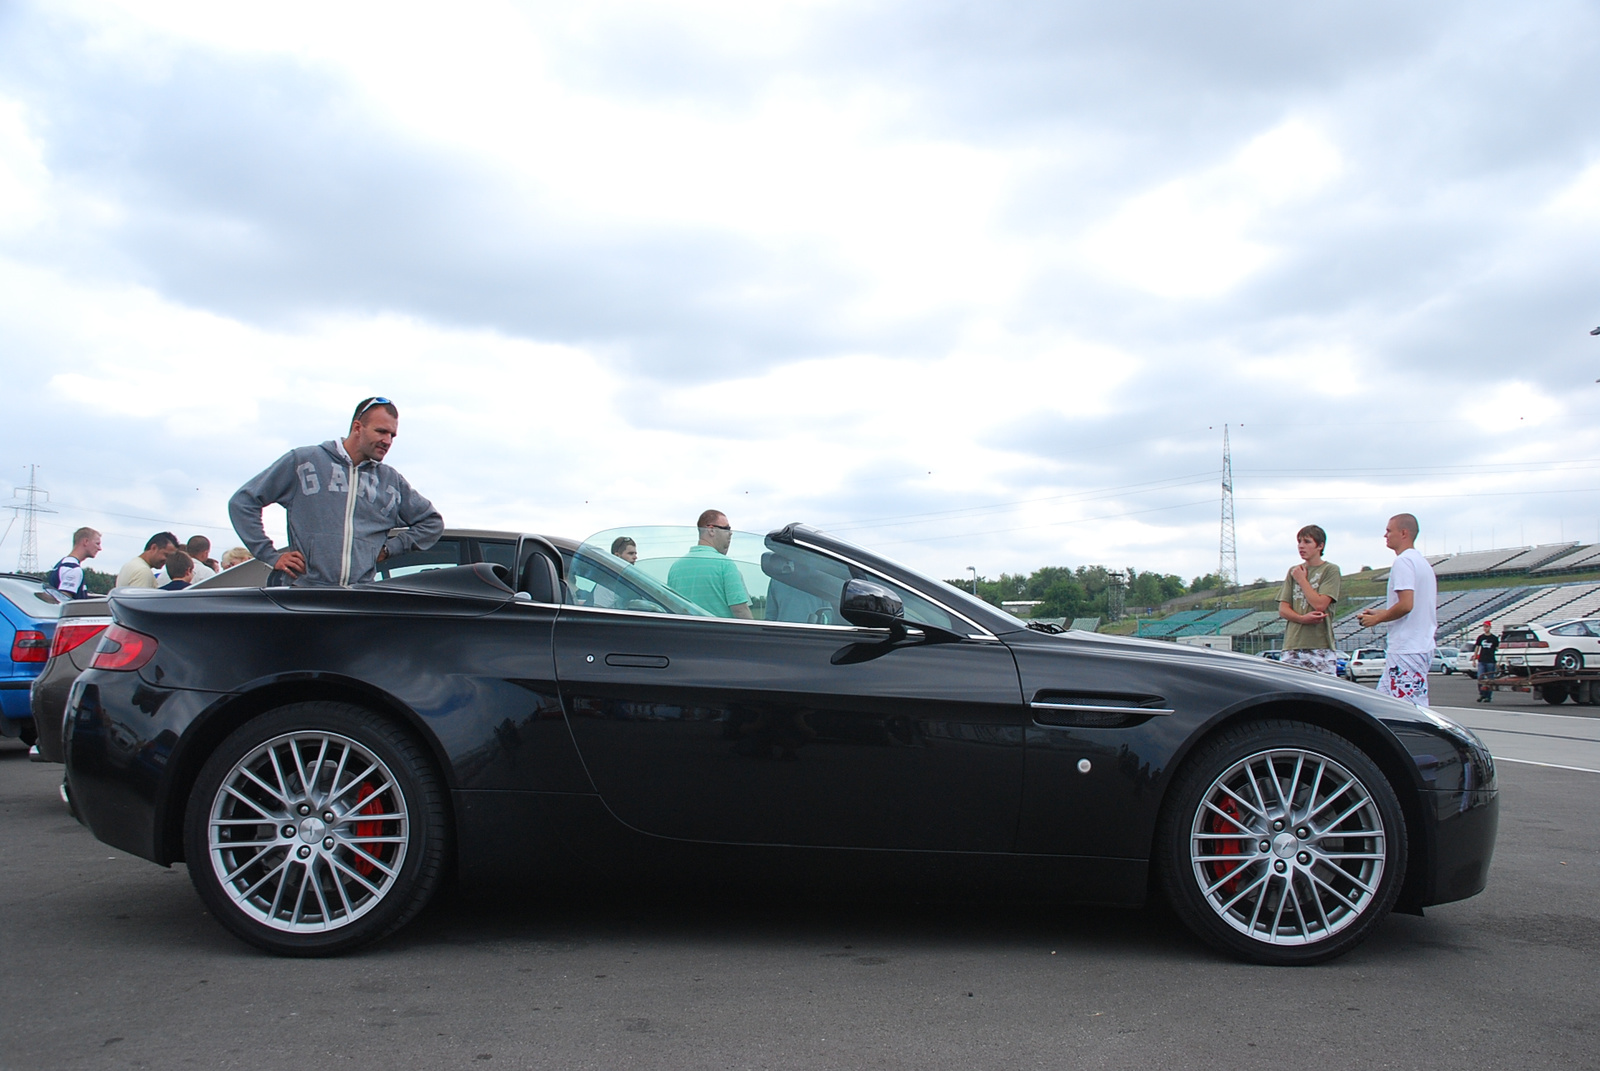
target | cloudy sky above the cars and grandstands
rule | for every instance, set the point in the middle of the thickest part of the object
(974, 284)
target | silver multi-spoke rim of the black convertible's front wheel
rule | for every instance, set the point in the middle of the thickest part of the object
(1289, 848)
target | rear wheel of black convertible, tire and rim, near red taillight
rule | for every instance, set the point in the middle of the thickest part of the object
(374, 843)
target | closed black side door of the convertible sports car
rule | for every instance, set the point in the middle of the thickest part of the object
(793, 732)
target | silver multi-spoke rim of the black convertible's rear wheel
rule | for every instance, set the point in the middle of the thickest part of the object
(308, 833)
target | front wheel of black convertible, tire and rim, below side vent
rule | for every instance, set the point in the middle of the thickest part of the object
(1226, 904)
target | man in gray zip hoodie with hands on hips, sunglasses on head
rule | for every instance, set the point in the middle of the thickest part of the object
(342, 500)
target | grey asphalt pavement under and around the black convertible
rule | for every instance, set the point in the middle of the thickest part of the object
(113, 963)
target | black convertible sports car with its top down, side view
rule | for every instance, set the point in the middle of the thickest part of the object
(322, 758)
